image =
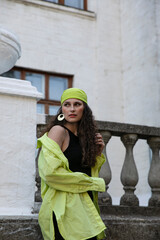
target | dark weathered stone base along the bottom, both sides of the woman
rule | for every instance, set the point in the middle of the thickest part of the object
(123, 223)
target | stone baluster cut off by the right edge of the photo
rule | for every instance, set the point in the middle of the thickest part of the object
(154, 172)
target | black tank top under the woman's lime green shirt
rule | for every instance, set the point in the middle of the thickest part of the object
(74, 154)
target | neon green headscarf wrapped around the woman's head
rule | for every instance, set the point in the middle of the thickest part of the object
(74, 93)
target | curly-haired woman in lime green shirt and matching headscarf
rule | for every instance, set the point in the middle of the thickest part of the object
(69, 162)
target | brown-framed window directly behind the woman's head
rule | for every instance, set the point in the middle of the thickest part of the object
(50, 85)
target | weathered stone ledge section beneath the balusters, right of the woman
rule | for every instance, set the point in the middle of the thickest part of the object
(131, 223)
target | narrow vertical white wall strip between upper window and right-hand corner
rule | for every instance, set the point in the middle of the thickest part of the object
(108, 85)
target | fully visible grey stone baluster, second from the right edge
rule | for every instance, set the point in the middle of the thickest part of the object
(129, 174)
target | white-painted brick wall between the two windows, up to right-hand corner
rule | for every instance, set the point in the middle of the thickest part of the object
(66, 40)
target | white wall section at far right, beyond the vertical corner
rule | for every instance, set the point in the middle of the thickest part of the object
(140, 58)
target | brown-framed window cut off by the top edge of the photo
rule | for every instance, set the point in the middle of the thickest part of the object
(80, 4)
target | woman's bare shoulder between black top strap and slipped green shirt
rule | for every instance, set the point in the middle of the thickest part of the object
(58, 134)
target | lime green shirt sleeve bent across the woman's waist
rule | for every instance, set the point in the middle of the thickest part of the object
(55, 173)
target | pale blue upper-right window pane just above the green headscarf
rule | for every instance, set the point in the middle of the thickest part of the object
(56, 87)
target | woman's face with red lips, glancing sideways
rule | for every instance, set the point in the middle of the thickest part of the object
(73, 110)
